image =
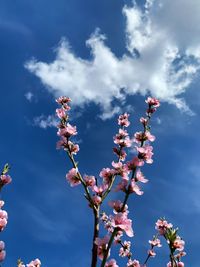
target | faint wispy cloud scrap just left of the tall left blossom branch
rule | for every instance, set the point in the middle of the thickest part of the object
(45, 121)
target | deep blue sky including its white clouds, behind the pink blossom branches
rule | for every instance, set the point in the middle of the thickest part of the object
(107, 56)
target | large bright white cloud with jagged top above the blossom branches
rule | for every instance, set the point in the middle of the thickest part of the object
(163, 59)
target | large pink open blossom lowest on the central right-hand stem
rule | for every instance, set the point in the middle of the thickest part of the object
(121, 221)
